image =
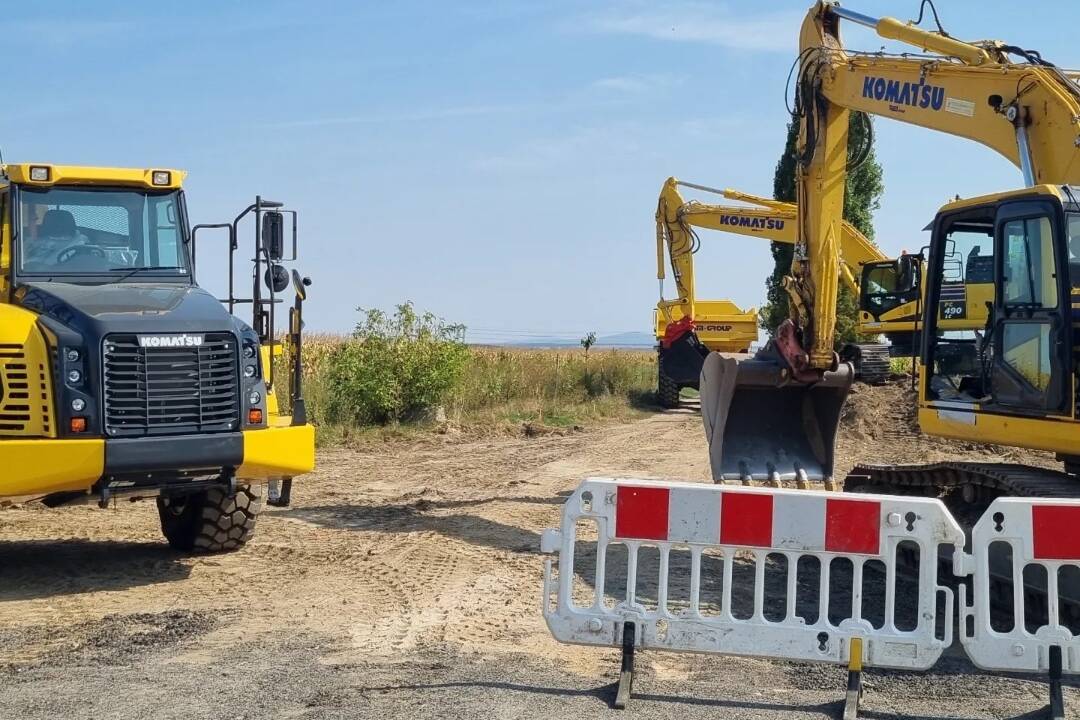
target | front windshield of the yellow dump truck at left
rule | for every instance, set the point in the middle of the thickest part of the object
(86, 232)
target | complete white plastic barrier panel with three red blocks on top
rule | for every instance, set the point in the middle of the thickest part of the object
(786, 567)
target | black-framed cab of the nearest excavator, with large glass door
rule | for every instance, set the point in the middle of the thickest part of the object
(1016, 374)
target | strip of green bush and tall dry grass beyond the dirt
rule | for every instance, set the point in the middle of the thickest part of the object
(396, 368)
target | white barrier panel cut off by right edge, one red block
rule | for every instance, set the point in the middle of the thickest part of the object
(1029, 550)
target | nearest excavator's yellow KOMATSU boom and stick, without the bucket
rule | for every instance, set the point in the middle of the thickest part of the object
(1029, 112)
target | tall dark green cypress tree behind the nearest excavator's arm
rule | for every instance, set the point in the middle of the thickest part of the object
(861, 198)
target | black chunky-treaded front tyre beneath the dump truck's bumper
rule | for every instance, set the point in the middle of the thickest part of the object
(211, 522)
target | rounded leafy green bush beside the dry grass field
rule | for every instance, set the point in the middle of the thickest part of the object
(393, 366)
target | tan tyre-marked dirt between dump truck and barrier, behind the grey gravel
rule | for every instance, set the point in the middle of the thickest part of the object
(399, 547)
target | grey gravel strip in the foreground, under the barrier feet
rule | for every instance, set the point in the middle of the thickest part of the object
(287, 675)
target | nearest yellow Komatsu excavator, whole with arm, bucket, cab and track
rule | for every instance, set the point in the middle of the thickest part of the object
(1016, 383)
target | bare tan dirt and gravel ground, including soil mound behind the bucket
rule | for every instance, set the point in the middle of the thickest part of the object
(404, 583)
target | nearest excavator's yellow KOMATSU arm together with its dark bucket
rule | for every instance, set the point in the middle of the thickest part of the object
(776, 416)
